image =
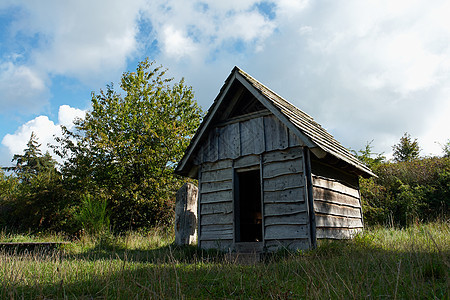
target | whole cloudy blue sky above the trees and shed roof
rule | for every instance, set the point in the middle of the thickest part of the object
(367, 71)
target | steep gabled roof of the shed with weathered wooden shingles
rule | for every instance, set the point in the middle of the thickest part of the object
(309, 131)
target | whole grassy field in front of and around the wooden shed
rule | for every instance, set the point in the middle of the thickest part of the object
(412, 263)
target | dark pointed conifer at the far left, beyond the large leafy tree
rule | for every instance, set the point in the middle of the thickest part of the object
(38, 200)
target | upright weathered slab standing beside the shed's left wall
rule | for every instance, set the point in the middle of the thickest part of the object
(186, 215)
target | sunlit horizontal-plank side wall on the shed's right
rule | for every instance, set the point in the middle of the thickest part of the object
(337, 207)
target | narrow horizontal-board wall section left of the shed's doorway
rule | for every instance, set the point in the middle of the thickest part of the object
(216, 205)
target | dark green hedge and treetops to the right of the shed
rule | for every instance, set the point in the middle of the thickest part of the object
(408, 189)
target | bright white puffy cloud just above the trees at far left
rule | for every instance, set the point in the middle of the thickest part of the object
(44, 129)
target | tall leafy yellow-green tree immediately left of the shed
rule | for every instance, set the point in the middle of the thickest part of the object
(127, 146)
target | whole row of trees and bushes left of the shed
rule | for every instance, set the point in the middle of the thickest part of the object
(117, 162)
